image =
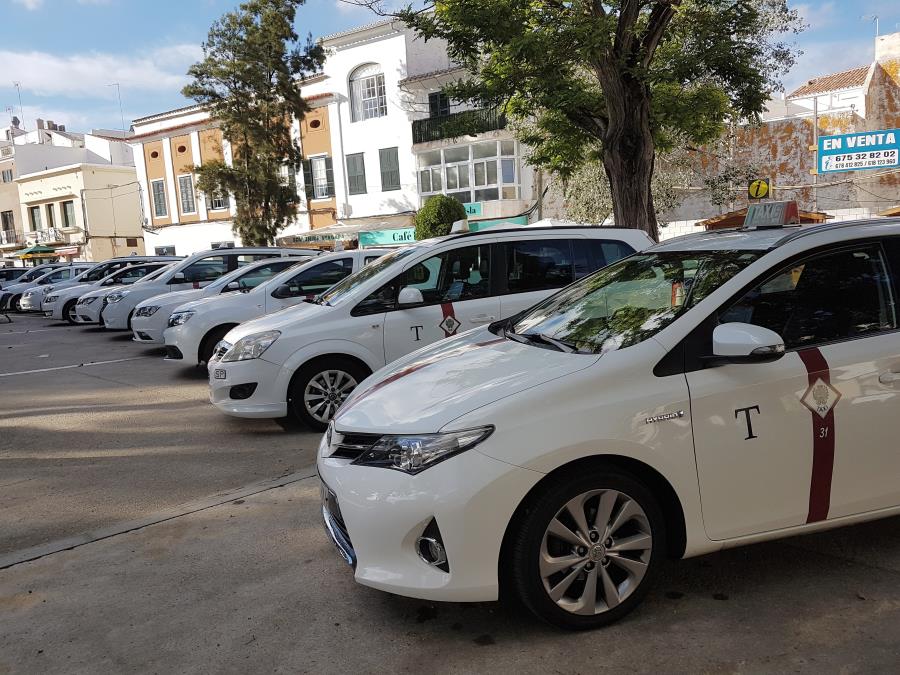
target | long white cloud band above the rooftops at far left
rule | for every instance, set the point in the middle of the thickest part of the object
(87, 75)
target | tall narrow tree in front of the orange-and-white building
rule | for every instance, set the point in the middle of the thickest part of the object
(250, 76)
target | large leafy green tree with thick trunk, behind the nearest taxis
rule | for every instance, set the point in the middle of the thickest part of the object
(614, 81)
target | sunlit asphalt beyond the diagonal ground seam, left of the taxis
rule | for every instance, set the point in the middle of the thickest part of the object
(83, 448)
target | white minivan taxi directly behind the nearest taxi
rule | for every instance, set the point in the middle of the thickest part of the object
(306, 360)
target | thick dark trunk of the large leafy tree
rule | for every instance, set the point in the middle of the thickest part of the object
(628, 155)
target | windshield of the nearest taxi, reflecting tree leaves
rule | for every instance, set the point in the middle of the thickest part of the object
(628, 301)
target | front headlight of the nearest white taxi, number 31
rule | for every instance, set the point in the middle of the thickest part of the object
(416, 452)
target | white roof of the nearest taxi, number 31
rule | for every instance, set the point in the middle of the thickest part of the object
(764, 239)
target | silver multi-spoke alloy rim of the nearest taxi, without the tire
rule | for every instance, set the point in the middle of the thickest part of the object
(595, 552)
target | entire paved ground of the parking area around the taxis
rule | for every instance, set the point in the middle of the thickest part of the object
(246, 581)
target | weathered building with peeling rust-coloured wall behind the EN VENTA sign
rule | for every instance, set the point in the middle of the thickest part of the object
(782, 148)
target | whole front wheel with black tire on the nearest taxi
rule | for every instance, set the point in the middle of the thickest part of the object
(581, 580)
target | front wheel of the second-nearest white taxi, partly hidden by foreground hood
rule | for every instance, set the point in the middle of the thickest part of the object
(319, 388)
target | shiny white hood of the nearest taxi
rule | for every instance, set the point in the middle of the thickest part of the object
(423, 392)
